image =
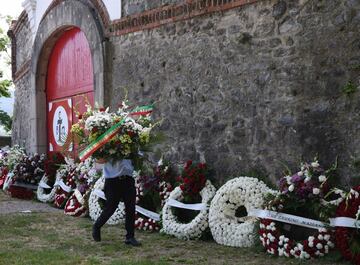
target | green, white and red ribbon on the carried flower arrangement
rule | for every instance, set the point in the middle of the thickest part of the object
(111, 132)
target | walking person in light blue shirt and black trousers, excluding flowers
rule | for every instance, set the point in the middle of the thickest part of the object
(119, 183)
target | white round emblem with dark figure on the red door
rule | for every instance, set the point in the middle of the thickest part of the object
(60, 126)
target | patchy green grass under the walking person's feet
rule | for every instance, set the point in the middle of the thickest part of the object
(53, 238)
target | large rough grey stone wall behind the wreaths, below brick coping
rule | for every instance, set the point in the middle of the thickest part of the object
(251, 88)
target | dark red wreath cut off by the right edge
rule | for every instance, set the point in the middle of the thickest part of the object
(346, 237)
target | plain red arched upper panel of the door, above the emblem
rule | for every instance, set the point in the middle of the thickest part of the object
(70, 70)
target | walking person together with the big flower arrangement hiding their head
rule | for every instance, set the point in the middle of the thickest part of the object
(114, 139)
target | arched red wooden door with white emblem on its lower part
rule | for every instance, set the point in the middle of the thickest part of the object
(69, 86)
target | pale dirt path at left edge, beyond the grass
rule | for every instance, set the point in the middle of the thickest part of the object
(12, 205)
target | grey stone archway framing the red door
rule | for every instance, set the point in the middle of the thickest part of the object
(61, 17)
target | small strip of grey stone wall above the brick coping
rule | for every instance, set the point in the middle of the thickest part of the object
(130, 7)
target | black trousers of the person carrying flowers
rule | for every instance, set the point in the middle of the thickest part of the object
(116, 189)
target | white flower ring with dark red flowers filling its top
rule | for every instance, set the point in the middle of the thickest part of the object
(197, 226)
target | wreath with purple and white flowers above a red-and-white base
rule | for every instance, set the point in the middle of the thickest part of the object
(301, 194)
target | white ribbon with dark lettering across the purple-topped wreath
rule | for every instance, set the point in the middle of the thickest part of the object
(287, 218)
